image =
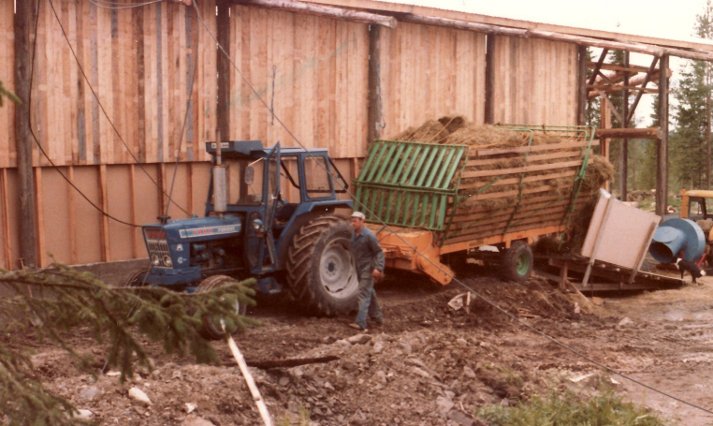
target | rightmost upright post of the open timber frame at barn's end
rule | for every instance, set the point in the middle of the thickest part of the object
(662, 152)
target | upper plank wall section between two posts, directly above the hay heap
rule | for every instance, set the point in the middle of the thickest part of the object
(428, 72)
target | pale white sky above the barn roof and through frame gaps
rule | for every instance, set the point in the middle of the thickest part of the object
(670, 20)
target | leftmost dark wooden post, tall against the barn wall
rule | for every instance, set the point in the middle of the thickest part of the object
(27, 213)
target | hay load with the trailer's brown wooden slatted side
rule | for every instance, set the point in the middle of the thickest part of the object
(514, 179)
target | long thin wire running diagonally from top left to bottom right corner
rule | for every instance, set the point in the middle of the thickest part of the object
(518, 320)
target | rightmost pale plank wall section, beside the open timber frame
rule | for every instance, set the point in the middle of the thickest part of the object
(535, 81)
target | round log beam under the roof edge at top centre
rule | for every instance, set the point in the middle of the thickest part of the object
(322, 10)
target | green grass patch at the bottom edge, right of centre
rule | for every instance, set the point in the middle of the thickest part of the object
(569, 409)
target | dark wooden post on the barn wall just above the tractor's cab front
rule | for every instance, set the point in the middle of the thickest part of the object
(224, 68)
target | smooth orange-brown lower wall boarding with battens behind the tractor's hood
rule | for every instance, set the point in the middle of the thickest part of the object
(73, 231)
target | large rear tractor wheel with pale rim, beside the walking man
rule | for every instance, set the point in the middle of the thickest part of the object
(320, 268)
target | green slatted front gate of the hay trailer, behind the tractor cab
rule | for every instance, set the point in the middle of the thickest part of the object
(409, 183)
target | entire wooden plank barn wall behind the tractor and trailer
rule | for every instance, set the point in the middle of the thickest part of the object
(311, 71)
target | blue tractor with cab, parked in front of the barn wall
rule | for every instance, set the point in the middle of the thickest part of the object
(252, 229)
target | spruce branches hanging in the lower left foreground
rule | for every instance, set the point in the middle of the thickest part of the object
(58, 300)
